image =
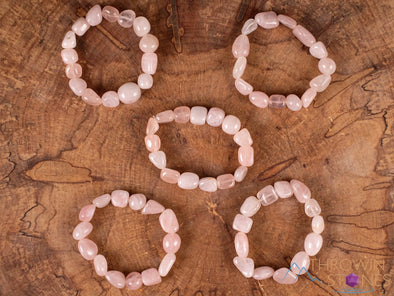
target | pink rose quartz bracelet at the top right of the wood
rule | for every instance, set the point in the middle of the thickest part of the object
(269, 20)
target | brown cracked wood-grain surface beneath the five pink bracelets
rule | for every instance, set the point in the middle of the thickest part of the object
(57, 154)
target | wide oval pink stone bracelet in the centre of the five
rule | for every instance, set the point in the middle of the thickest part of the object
(199, 116)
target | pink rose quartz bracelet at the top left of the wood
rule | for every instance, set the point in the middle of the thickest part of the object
(129, 92)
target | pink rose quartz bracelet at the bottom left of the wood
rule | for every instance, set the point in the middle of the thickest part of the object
(89, 250)
